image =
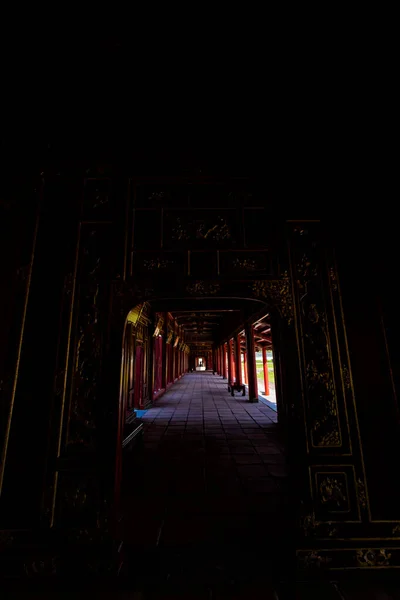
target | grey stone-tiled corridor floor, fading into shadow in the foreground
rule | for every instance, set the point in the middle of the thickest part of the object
(204, 497)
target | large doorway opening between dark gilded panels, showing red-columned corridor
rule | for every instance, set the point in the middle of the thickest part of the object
(211, 460)
